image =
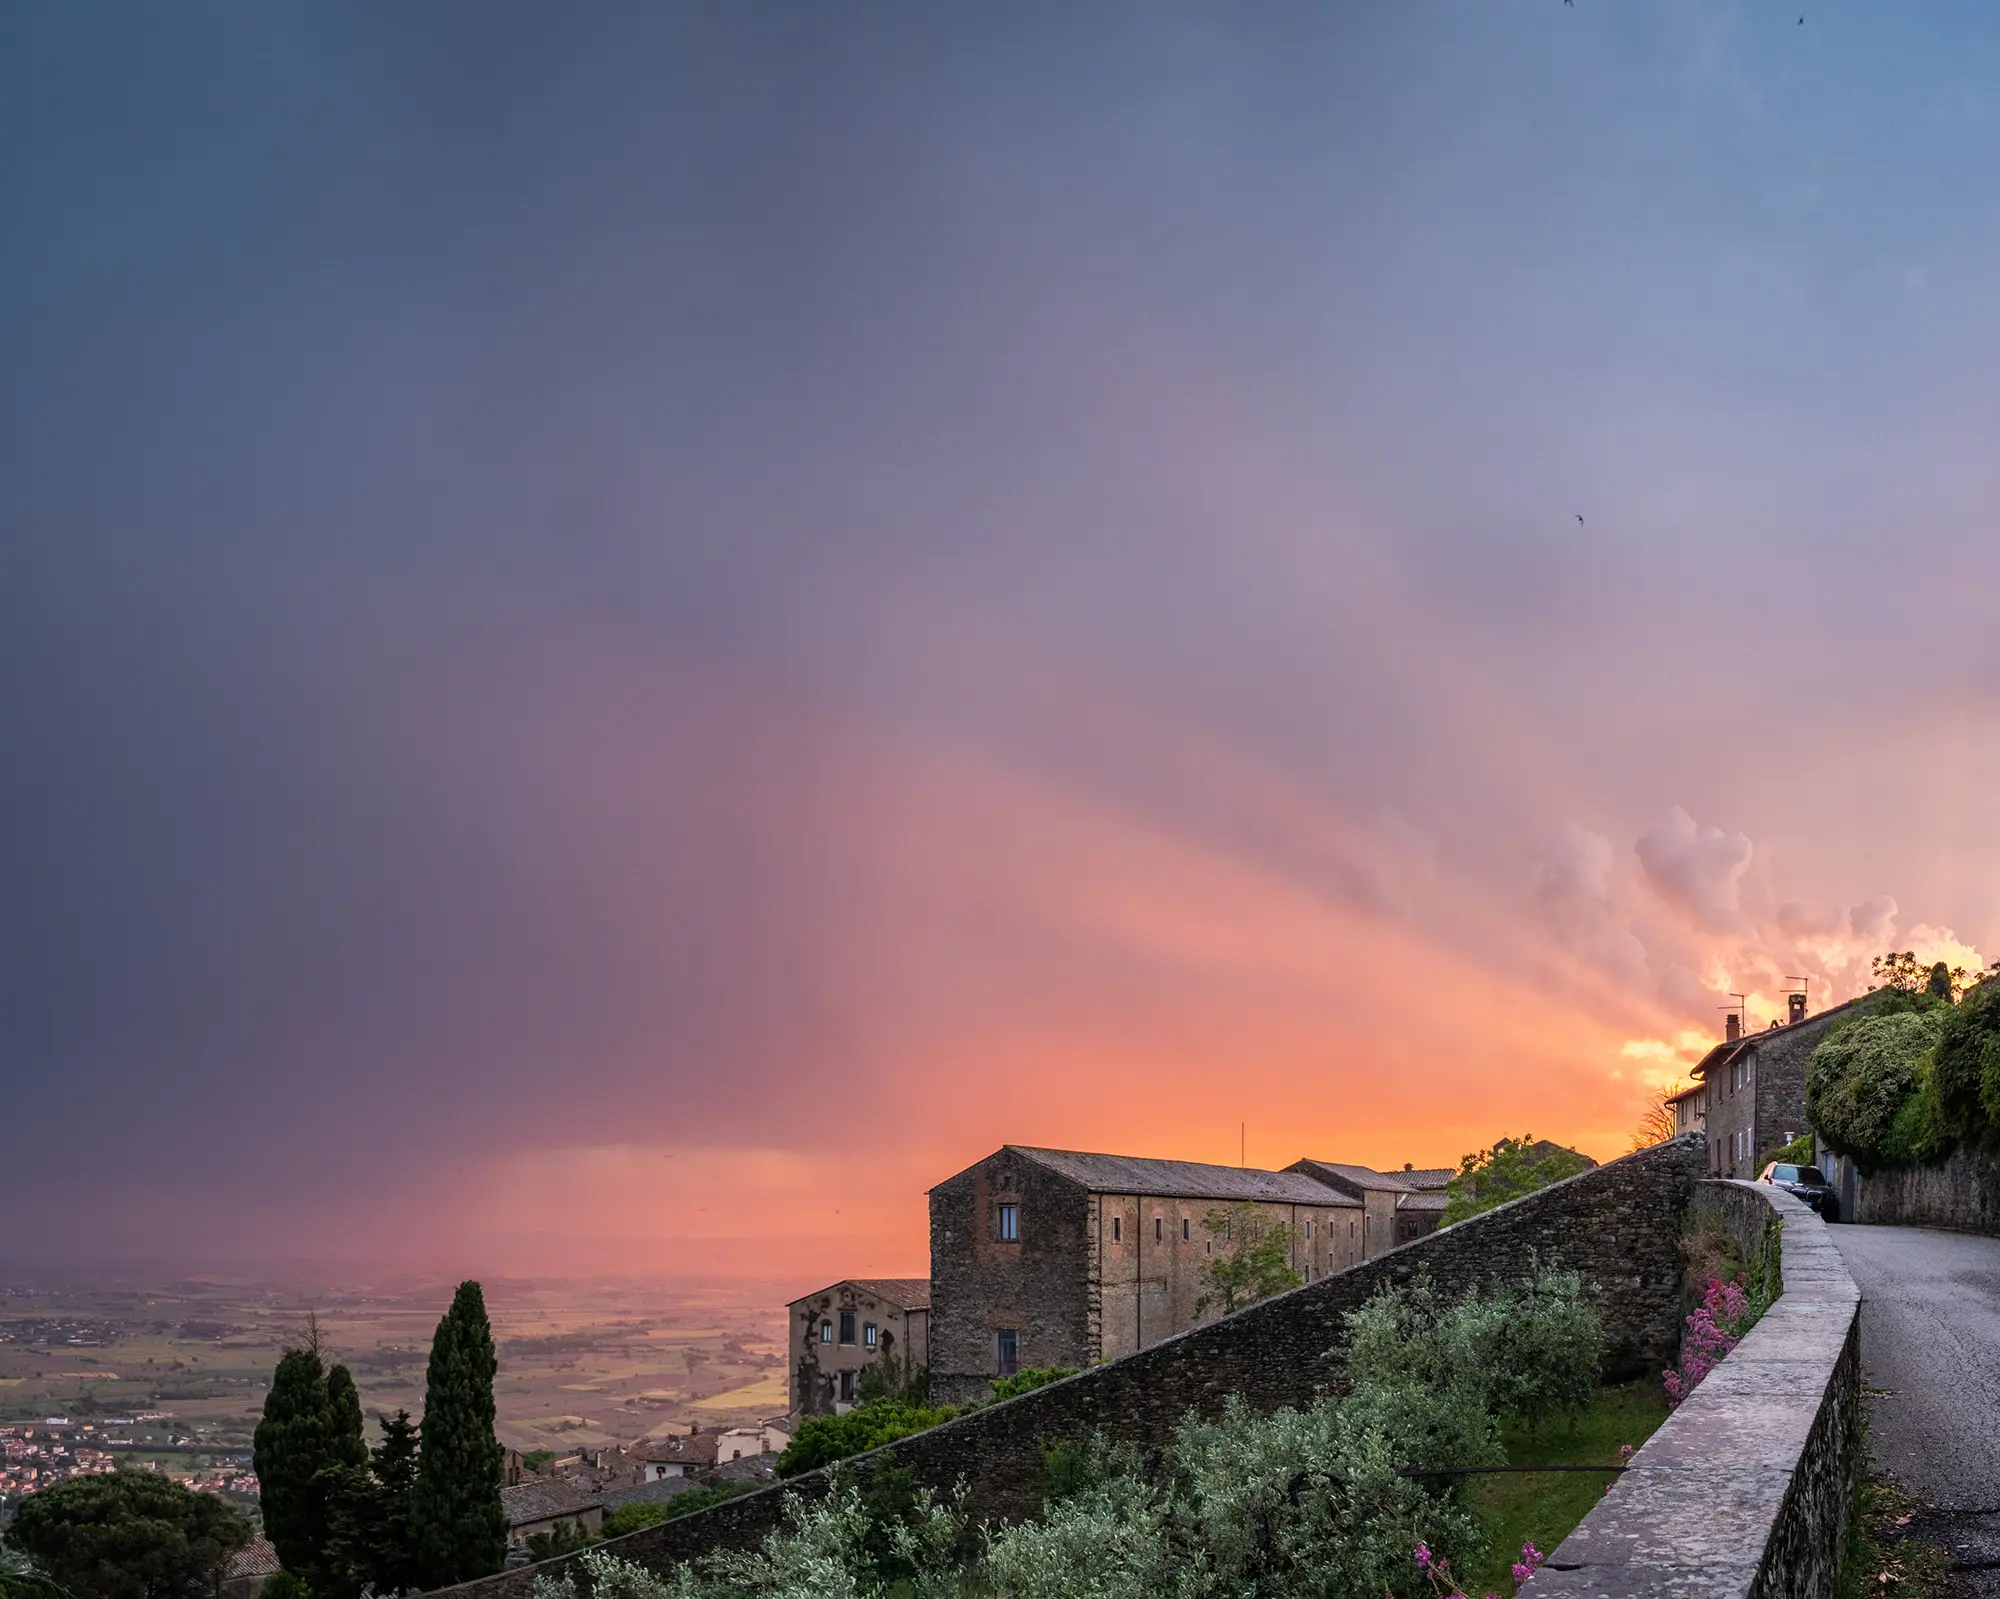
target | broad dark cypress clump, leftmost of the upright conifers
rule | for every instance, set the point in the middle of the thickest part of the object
(307, 1448)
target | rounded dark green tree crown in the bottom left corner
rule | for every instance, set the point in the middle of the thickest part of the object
(129, 1536)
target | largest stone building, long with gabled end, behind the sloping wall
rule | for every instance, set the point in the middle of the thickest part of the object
(1059, 1258)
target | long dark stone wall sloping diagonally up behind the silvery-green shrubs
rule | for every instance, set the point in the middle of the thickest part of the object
(1617, 1224)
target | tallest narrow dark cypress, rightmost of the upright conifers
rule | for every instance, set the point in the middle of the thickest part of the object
(459, 1522)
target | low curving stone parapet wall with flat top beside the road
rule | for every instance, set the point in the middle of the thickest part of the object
(1745, 1492)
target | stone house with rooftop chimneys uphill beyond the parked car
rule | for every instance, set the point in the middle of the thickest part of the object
(1753, 1088)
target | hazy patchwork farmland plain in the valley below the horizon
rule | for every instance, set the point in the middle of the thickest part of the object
(581, 1362)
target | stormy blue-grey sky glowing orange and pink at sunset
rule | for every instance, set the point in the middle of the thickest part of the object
(631, 635)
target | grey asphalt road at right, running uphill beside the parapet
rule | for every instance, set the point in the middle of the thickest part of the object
(1931, 1346)
